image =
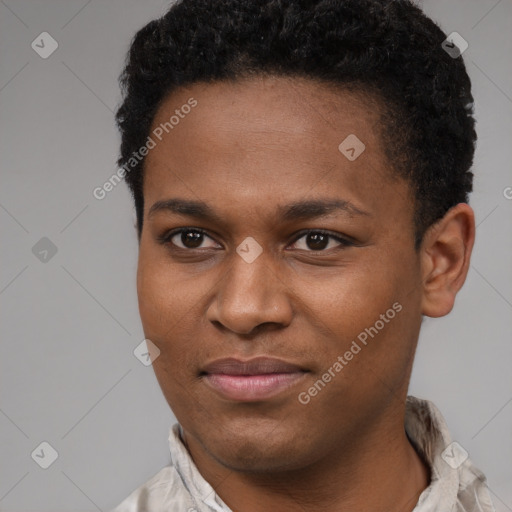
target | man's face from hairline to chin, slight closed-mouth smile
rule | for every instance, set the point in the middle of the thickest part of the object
(265, 244)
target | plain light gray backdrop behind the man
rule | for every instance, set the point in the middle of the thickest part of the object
(70, 324)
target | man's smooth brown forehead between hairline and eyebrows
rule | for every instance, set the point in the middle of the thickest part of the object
(266, 140)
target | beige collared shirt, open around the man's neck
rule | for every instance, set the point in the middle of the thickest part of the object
(456, 484)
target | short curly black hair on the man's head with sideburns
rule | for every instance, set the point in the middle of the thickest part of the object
(387, 48)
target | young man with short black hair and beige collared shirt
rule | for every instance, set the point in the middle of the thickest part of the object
(300, 171)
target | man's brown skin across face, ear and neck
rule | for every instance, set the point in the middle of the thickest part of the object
(247, 148)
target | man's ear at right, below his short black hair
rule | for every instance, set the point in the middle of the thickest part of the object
(445, 256)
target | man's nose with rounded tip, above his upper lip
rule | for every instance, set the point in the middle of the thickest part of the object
(250, 295)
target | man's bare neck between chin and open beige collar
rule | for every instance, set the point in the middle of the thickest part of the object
(378, 471)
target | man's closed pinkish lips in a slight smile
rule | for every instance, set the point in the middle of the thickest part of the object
(253, 380)
